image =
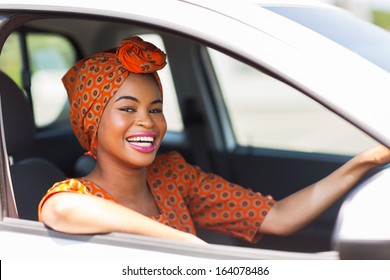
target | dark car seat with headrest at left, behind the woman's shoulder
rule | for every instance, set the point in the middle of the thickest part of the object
(31, 176)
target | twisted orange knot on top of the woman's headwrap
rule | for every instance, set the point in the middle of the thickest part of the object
(139, 56)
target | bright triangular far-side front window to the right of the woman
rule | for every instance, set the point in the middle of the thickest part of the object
(267, 113)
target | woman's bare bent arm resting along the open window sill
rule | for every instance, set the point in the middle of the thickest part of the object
(83, 214)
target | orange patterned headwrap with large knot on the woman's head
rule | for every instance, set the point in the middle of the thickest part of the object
(93, 81)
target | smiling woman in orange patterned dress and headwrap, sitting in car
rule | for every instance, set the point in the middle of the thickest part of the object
(117, 115)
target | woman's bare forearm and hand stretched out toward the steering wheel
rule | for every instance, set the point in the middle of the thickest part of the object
(297, 210)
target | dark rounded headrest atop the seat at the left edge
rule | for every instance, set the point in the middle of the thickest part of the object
(18, 120)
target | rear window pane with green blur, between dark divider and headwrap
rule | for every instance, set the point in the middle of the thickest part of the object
(50, 56)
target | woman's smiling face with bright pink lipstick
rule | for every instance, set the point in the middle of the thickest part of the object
(133, 124)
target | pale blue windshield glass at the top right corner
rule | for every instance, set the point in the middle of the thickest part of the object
(367, 40)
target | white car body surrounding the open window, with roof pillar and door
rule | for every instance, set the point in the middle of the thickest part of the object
(253, 34)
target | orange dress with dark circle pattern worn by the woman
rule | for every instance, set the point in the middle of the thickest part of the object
(189, 198)
